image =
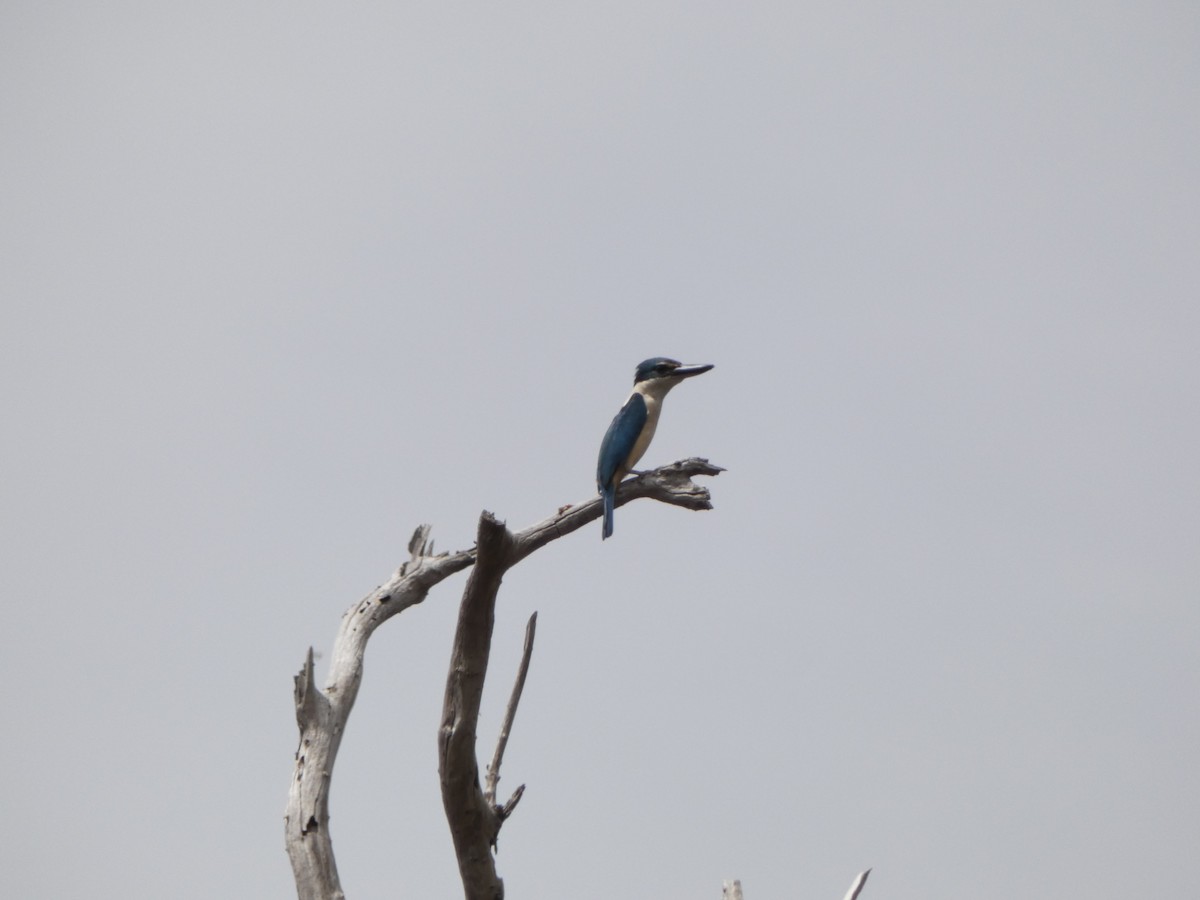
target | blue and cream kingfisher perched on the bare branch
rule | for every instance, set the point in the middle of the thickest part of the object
(633, 429)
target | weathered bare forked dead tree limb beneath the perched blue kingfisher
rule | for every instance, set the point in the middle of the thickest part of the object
(322, 716)
